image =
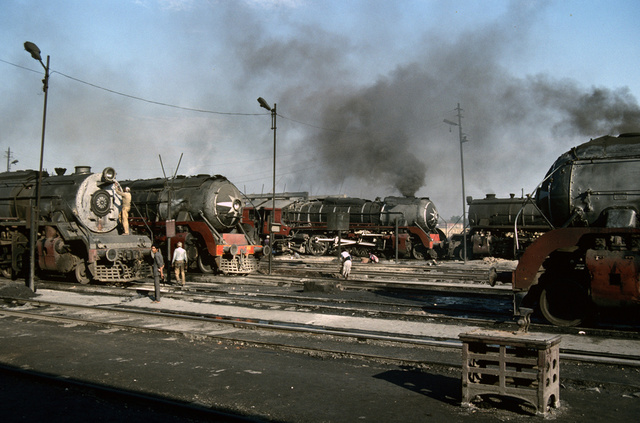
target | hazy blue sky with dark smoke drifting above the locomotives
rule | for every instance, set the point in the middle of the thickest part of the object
(362, 88)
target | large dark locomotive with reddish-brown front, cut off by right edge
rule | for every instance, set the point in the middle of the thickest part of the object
(592, 257)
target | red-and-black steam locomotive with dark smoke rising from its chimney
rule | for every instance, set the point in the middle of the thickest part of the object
(315, 226)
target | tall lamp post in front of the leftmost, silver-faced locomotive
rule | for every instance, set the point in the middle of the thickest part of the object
(35, 53)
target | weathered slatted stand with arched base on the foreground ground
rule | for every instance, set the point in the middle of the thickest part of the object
(514, 364)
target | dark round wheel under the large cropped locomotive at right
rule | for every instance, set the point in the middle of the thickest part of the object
(565, 303)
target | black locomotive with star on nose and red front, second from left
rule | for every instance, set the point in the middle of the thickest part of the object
(203, 212)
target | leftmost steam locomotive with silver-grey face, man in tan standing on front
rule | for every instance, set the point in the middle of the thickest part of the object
(76, 230)
